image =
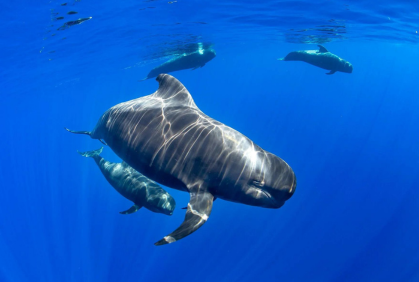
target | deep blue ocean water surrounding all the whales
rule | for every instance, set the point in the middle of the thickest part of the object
(352, 139)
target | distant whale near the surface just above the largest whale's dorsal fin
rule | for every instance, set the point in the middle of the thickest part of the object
(192, 60)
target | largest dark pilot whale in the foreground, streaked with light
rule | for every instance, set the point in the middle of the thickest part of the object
(168, 139)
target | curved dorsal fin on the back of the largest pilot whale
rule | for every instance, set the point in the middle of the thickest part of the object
(173, 92)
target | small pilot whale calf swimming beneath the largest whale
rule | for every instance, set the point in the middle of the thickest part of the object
(134, 186)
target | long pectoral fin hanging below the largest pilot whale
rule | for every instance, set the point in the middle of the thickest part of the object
(199, 209)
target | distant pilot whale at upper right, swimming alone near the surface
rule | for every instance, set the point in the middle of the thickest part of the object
(321, 58)
